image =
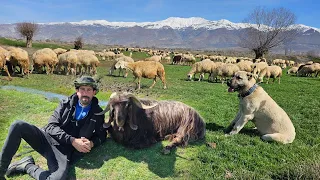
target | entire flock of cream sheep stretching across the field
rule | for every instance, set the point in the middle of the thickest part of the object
(86, 61)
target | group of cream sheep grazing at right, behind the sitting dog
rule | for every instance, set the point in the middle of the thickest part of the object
(225, 67)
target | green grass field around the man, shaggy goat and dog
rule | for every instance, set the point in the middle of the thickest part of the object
(244, 155)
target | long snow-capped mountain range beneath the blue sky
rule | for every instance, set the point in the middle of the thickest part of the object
(194, 32)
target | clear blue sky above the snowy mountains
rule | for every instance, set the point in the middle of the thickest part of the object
(42, 11)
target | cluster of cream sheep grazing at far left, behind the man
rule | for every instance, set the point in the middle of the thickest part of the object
(48, 60)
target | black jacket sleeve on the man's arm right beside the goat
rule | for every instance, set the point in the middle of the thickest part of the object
(100, 134)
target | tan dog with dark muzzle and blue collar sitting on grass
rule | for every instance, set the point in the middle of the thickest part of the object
(256, 105)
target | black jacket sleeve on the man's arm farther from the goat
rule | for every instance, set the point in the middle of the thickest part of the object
(53, 126)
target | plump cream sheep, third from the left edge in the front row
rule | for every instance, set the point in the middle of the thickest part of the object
(45, 57)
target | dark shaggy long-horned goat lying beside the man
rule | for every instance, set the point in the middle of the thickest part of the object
(139, 123)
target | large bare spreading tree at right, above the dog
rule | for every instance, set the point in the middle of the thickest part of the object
(266, 29)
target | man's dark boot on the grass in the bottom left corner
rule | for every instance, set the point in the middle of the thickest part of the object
(20, 166)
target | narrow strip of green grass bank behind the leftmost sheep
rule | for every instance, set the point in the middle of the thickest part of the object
(19, 43)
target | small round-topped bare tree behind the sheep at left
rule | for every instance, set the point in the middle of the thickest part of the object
(27, 30)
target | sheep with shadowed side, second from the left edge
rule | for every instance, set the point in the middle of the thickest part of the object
(19, 57)
